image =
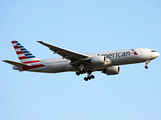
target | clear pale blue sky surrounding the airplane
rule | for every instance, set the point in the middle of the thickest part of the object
(84, 27)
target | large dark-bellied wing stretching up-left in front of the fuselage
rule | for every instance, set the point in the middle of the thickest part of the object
(70, 55)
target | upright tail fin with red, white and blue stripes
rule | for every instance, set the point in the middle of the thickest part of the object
(23, 54)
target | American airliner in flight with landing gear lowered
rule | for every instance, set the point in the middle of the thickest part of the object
(107, 62)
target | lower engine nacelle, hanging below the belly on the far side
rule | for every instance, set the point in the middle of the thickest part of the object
(114, 70)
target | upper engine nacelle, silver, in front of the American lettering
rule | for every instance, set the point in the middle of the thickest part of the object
(98, 60)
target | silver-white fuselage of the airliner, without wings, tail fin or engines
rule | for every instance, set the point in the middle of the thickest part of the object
(120, 57)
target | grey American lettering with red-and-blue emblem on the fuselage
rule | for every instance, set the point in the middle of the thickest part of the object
(120, 54)
